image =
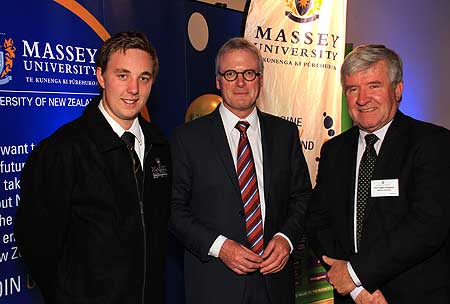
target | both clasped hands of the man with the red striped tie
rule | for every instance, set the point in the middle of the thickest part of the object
(242, 260)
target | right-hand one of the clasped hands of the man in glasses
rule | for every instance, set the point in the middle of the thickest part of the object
(275, 255)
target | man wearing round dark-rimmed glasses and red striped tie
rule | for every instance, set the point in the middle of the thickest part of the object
(240, 190)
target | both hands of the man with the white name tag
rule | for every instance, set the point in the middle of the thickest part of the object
(341, 280)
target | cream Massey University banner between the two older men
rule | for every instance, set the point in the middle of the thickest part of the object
(303, 46)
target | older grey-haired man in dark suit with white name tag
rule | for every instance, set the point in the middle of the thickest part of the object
(380, 211)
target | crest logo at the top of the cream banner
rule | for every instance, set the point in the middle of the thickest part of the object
(303, 11)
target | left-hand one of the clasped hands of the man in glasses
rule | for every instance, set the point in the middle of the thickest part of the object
(238, 258)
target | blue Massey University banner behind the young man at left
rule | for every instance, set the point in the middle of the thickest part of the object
(47, 77)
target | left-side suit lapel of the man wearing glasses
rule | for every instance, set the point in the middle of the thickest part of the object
(220, 145)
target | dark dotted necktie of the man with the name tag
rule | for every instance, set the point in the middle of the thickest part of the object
(366, 167)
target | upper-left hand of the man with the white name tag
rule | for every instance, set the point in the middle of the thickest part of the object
(338, 275)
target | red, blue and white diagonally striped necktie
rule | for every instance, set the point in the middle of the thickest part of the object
(248, 185)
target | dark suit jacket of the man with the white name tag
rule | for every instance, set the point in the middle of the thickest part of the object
(405, 249)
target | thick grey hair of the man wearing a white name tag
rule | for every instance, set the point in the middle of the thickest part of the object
(364, 56)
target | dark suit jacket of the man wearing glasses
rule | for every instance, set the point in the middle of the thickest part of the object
(206, 202)
